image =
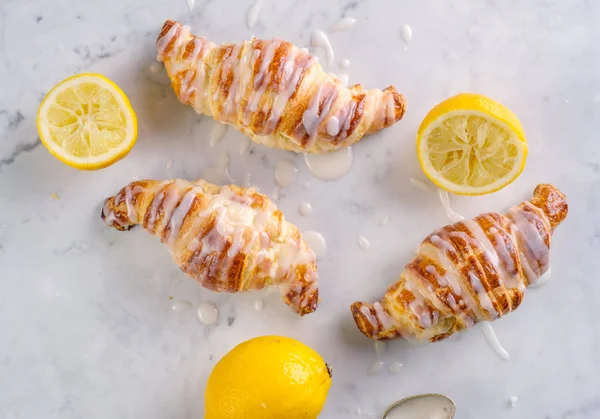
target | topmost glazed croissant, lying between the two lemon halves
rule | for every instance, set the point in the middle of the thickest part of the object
(272, 91)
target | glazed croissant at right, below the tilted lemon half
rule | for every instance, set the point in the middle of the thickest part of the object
(472, 271)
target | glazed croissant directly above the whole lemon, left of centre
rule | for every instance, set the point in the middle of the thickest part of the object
(227, 238)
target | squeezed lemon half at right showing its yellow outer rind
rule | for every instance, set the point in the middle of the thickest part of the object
(471, 145)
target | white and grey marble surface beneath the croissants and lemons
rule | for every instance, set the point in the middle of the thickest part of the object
(86, 325)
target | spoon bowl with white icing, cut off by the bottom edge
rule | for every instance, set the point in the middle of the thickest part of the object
(422, 406)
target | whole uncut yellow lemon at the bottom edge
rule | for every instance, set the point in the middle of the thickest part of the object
(269, 377)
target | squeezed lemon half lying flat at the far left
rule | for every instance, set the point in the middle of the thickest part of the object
(87, 122)
